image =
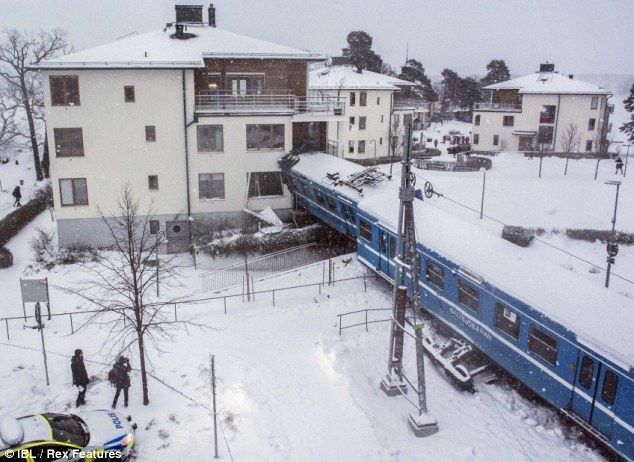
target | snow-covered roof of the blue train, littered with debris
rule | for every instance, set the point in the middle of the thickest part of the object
(601, 319)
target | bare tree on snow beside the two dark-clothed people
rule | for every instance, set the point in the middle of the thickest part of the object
(124, 285)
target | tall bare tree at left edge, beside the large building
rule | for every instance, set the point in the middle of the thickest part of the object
(18, 51)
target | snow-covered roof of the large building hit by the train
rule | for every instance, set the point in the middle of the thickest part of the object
(158, 50)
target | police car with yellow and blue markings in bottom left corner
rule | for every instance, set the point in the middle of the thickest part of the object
(88, 436)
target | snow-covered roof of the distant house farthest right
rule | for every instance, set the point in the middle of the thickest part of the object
(549, 82)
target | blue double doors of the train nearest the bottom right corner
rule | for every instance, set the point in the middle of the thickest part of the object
(594, 394)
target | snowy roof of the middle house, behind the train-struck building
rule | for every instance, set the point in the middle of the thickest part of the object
(347, 78)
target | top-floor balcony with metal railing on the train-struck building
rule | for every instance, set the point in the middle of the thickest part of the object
(231, 103)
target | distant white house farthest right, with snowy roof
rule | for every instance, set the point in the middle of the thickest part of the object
(544, 110)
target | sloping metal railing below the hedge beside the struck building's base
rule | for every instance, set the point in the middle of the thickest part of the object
(265, 265)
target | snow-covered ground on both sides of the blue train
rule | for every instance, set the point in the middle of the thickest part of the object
(289, 387)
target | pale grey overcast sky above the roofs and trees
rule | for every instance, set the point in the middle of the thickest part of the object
(579, 36)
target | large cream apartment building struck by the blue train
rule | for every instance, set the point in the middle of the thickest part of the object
(193, 118)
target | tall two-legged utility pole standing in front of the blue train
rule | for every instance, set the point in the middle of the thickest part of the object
(407, 259)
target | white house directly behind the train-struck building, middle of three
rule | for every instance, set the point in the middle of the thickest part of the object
(375, 114)
